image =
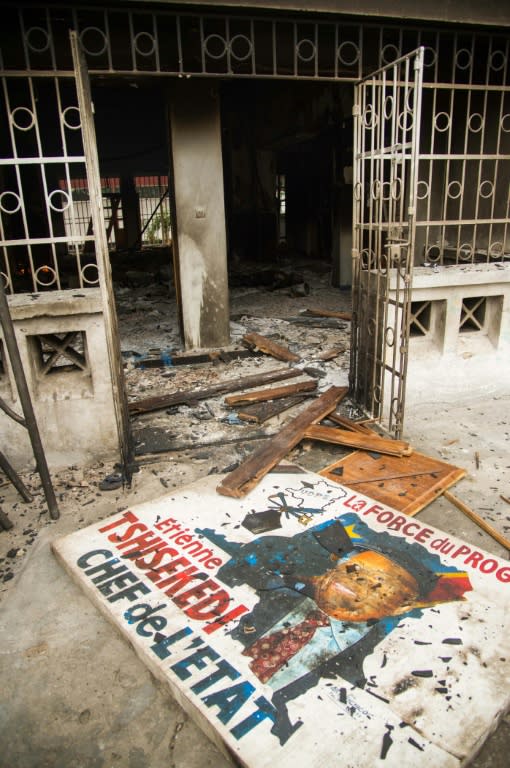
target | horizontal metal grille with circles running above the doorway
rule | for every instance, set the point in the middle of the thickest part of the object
(165, 42)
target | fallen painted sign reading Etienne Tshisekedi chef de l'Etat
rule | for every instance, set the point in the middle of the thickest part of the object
(306, 622)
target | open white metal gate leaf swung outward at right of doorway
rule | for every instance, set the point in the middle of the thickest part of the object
(387, 112)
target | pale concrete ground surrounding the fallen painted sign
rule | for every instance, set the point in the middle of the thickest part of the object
(75, 695)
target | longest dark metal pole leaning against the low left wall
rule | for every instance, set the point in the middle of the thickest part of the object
(26, 404)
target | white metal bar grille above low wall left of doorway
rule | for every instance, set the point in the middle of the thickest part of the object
(42, 246)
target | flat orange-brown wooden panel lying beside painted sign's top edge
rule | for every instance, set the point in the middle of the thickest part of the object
(408, 483)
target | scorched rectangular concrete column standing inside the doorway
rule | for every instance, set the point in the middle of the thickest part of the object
(199, 214)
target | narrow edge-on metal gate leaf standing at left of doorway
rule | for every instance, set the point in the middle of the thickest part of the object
(102, 257)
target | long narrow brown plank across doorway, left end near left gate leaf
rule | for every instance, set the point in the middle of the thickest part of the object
(194, 395)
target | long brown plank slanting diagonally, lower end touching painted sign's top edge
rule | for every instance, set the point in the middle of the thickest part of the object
(239, 482)
